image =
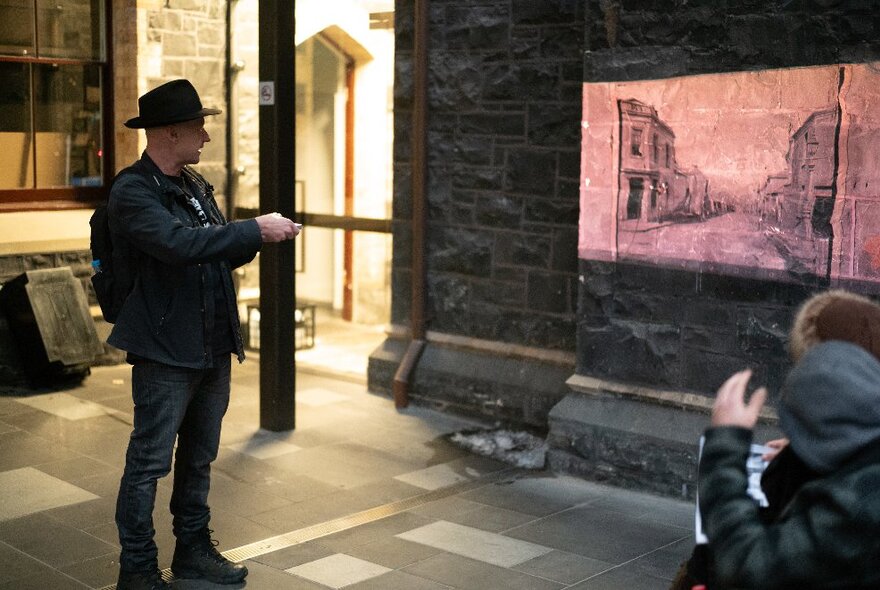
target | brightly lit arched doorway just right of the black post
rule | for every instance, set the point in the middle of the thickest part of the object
(344, 253)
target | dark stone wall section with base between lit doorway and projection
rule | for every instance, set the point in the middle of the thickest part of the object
(504, 98)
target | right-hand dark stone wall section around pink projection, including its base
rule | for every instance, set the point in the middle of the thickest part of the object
(655, 343)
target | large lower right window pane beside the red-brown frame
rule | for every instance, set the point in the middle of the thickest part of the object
(67, 117)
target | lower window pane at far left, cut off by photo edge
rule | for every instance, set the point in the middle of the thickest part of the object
(15, 126)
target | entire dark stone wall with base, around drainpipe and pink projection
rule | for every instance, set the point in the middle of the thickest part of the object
(650, 344)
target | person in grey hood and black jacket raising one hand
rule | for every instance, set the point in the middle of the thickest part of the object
(828, 535)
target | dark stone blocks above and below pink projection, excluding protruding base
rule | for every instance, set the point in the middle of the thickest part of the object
(687, 330)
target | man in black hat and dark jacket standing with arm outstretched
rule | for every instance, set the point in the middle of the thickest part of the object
(179, 327)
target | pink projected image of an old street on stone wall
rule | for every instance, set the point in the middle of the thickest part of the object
(772, 174)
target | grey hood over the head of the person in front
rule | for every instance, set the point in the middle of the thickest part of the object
(830, 404)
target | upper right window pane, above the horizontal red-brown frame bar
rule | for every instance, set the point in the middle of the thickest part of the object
(70, 28)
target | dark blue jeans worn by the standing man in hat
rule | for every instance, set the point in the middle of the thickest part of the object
(170, 403)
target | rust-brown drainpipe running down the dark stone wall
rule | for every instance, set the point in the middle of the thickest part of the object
(400, 387)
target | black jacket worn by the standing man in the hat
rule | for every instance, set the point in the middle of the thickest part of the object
(168, 314)
